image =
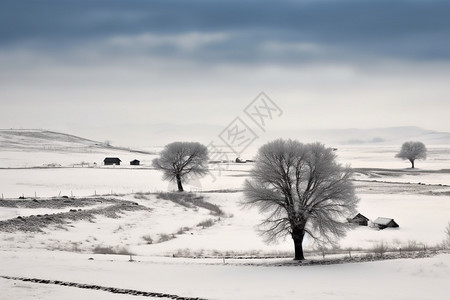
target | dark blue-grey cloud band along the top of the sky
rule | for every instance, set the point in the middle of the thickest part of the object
(271, 31)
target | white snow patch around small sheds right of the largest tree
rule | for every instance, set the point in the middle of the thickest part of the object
(421, 218)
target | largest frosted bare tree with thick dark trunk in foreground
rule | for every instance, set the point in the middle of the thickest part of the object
(303, 190)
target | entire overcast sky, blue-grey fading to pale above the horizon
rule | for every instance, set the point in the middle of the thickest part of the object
(145, 72)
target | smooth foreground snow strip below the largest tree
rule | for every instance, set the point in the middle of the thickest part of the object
(398, 279)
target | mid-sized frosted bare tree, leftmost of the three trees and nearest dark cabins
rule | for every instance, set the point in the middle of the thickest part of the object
(180, 159)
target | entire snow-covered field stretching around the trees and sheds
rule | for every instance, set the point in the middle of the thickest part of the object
(418, 200)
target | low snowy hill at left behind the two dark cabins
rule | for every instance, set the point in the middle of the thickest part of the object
(41, 148)
